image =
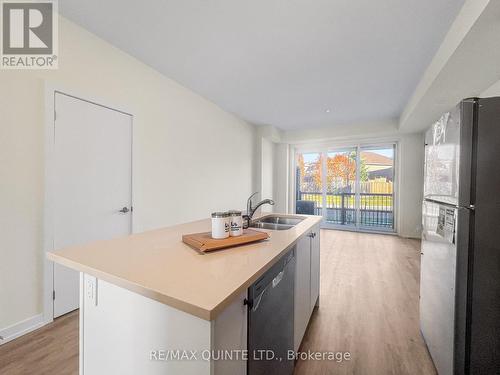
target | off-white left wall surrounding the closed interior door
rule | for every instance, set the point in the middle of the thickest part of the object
(190, 157)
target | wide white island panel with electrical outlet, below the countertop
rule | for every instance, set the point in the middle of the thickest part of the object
(122, 331)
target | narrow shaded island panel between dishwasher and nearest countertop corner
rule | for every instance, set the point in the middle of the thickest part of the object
(230, 339)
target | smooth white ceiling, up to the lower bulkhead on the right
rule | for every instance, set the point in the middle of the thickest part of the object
(292, 64)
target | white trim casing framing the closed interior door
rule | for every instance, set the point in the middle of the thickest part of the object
(51, 89)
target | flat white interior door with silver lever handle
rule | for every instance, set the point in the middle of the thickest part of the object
(92, 183)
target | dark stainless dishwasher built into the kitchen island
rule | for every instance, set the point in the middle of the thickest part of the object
(270, 319)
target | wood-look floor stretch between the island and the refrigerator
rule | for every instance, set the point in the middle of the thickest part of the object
(369, 307)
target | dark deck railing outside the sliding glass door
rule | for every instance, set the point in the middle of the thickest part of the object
(376, 209)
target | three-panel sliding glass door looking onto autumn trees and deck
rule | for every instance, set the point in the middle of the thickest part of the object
(351, 187)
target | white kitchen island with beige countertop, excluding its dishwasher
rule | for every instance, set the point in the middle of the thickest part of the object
(150, 304)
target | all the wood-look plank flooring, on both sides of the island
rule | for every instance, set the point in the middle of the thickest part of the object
(368, 307)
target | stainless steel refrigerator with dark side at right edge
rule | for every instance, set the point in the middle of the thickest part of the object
(460, 264)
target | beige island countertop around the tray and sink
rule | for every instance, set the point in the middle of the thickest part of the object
(158, 265)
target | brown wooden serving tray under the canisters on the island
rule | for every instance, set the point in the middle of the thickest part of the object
(204, 241)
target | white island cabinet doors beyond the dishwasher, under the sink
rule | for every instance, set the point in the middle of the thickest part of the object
(306, 282)
